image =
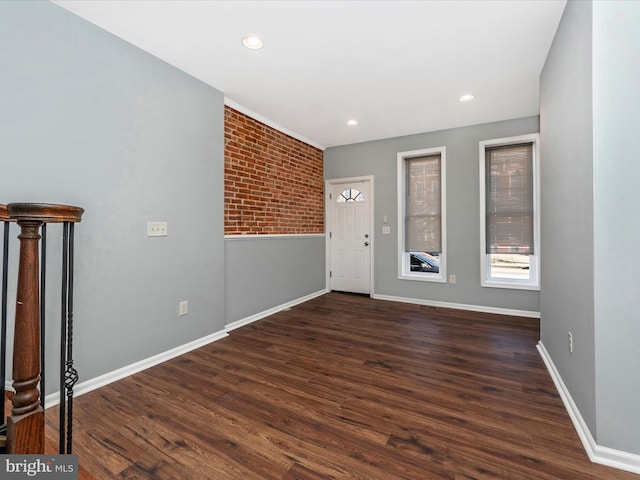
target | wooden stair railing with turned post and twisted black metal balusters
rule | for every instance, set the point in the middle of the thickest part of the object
(25, 425)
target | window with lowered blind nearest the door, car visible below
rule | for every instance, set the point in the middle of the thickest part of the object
(421, 214)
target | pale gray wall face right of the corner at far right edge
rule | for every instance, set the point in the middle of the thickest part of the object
(616, 143)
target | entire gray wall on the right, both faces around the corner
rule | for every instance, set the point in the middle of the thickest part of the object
(589, 128)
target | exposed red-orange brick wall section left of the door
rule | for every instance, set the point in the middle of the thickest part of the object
(273, 183)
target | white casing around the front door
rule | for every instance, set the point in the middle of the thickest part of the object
(328, 215)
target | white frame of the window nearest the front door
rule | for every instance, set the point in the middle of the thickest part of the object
(404, 268)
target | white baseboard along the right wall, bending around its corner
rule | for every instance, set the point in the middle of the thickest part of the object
(597, 454)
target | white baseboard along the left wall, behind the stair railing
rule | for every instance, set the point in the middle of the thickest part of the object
(87, 386)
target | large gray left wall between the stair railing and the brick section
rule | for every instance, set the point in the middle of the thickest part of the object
(89, 120)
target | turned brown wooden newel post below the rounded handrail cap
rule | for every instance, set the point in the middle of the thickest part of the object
(25, 425)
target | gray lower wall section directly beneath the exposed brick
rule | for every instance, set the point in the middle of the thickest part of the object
(265, 272)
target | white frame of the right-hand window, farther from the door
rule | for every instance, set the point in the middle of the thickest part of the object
(533, 283)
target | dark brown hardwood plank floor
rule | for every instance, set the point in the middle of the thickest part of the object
(342, 387)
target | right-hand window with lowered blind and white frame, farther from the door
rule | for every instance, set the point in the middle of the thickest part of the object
(509, 213)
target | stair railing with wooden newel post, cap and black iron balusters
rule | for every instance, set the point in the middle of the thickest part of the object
(23, 432)
